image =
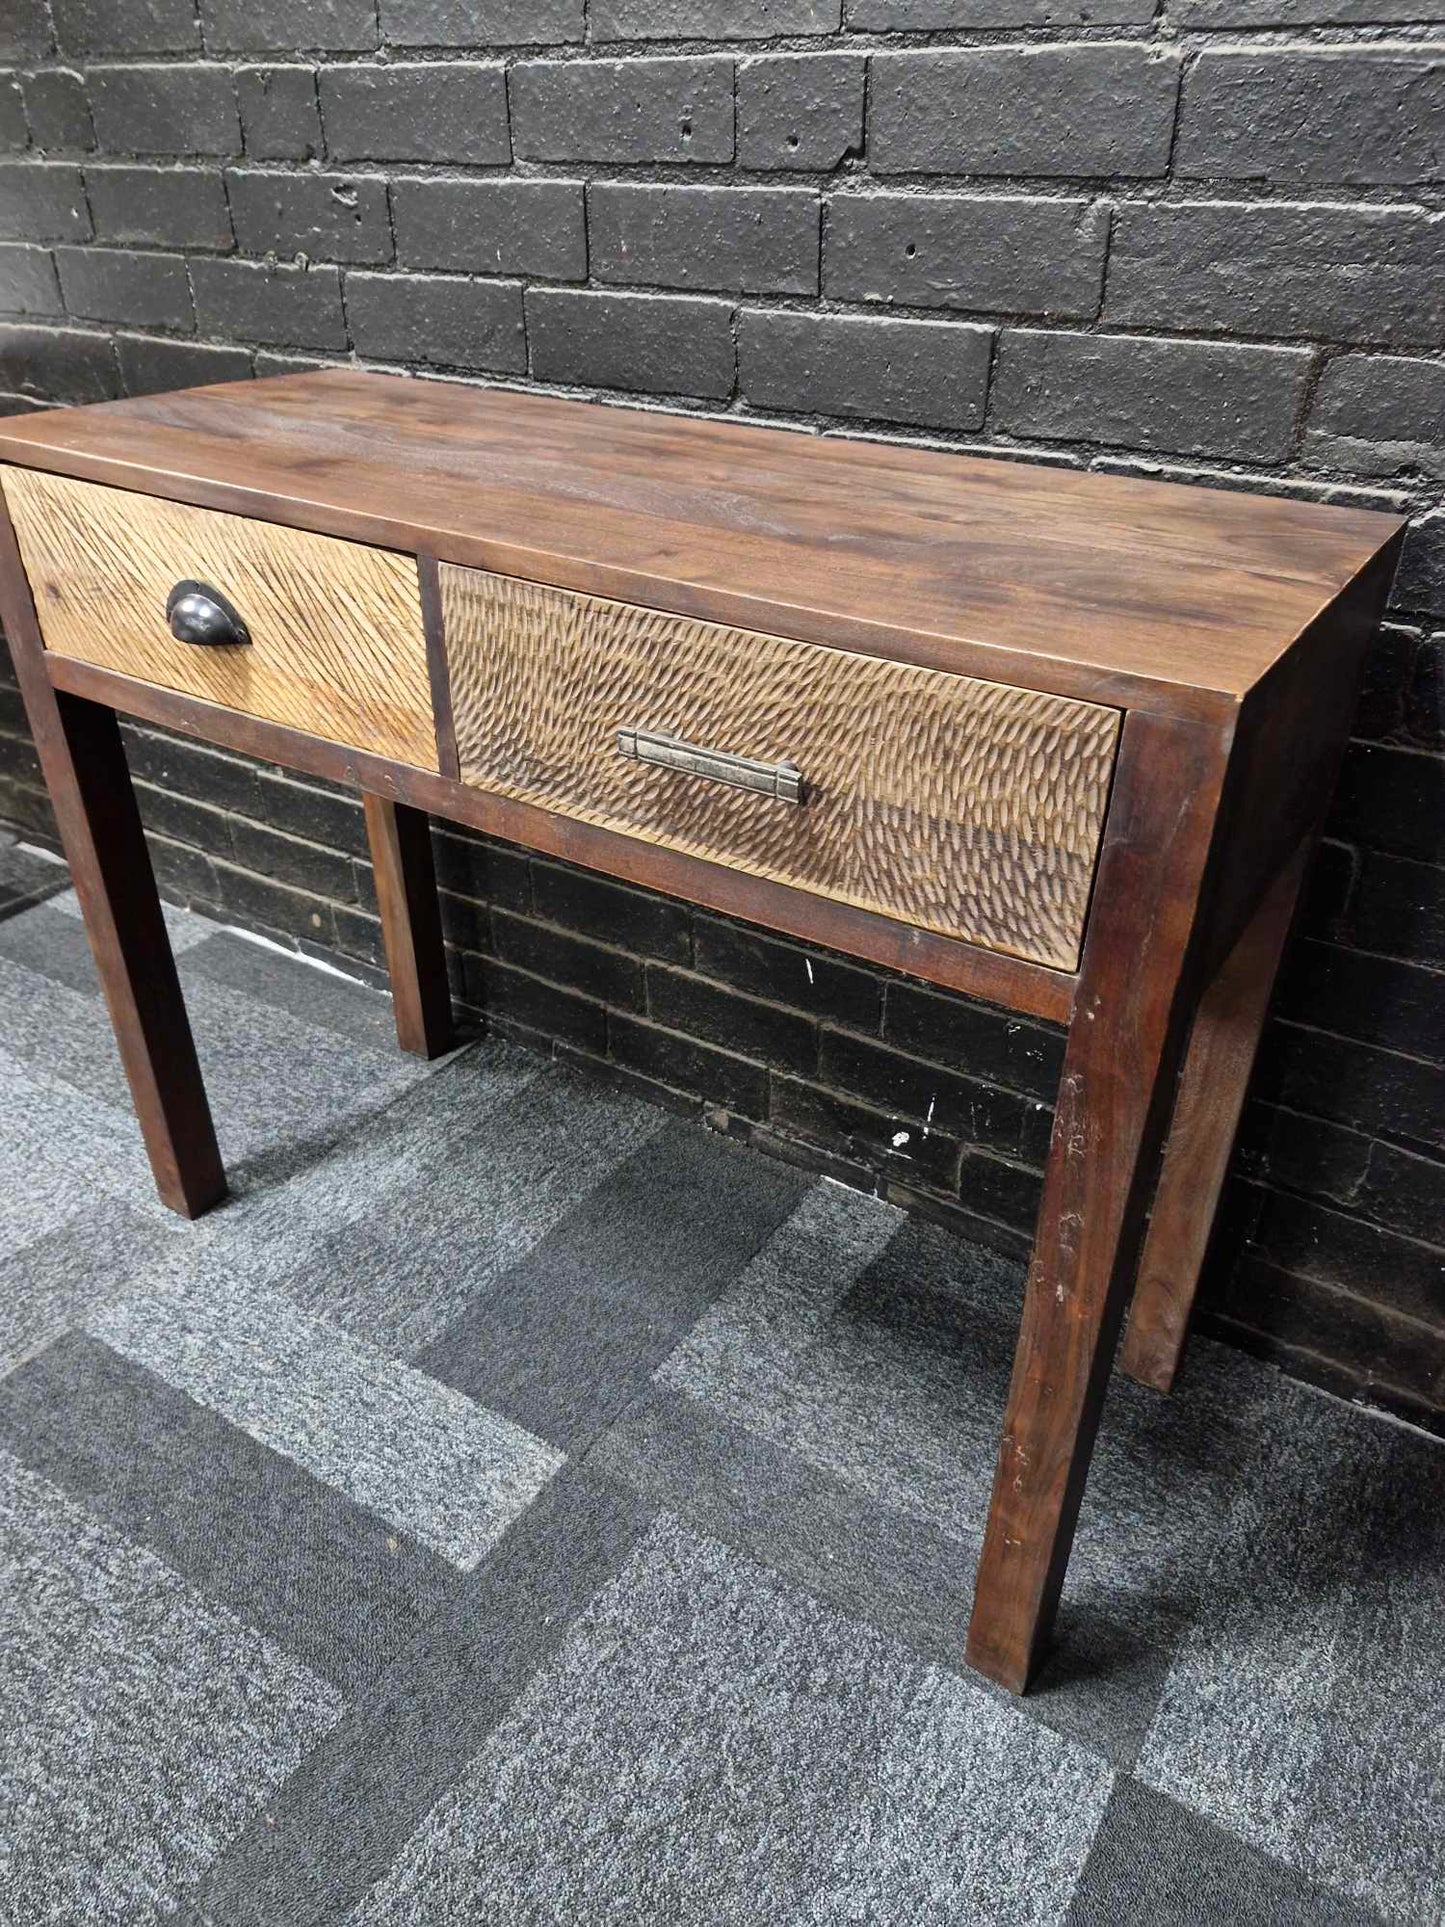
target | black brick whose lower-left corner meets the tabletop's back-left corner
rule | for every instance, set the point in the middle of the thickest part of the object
(438, 319)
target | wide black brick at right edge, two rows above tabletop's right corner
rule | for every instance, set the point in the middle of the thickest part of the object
(1280, 269)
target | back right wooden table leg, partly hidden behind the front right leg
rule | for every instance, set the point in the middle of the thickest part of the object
(1207, 1113)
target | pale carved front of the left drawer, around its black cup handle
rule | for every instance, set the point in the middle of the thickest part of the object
(336, 629)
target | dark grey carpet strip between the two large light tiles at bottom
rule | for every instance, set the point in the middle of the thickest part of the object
(369, 1785)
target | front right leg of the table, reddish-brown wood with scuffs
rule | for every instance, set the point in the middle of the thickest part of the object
(1124, 1047)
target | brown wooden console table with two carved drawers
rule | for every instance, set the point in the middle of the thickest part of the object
(1051, 739)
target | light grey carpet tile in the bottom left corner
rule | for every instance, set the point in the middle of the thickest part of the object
(144, 1724)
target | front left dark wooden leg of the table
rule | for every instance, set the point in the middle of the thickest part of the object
(99, 822)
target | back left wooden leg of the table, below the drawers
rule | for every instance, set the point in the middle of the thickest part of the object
(411, 924)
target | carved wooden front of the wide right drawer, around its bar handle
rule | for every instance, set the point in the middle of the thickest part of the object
(951, 805)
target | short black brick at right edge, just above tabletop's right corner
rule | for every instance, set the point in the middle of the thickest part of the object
(1380, 415)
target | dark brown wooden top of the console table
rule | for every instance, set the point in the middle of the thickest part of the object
(1097, 587)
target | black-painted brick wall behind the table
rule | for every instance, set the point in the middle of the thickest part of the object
(1199, 238)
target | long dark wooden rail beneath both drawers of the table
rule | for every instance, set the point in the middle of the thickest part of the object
(985, 974)
